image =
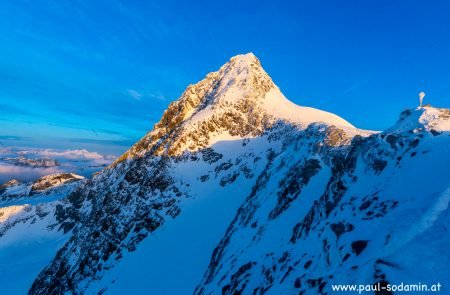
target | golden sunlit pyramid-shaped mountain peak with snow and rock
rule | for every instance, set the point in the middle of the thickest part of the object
(239, 100)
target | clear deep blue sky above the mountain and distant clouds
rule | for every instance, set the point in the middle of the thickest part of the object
(98, 74)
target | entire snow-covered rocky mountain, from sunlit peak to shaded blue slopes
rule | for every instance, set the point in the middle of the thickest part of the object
(237, 190)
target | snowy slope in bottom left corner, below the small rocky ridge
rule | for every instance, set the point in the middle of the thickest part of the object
(29, 238)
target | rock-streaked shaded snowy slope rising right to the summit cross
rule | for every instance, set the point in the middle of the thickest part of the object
(353, 222)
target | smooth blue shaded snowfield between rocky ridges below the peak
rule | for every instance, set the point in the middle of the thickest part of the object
(179, 247)
